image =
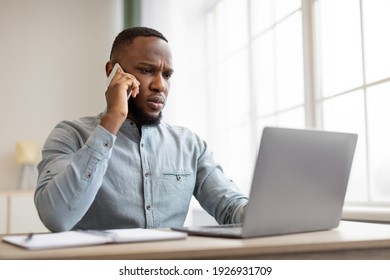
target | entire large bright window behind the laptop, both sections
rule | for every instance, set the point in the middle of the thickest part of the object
(309, 63)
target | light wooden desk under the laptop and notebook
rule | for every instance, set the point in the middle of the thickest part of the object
(351, 240)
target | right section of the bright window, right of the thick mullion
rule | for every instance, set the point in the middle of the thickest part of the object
(354, 94)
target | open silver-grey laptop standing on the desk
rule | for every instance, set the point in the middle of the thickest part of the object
(299, 184)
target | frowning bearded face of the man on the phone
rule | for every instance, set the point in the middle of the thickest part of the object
(149, 60)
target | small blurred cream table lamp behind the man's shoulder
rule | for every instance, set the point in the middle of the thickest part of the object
(27, 154)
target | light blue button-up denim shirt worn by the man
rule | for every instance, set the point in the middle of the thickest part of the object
(92, 179)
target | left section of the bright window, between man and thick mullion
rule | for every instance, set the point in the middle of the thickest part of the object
(256, 76)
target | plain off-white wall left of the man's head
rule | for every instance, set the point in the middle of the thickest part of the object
(52, 55)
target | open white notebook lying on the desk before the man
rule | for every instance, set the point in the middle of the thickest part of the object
(86, 238)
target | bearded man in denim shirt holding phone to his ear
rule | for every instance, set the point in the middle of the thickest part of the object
(125, 168)
